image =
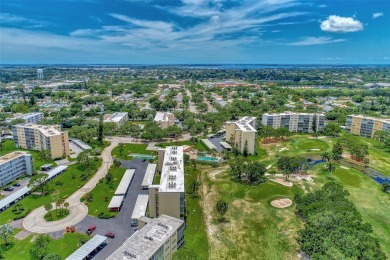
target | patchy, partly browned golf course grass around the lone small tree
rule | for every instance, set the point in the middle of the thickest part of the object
(254, 229)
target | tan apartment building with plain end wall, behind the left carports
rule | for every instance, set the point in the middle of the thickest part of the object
(42, 137)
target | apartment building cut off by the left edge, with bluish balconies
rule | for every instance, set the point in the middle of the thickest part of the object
(14, 165)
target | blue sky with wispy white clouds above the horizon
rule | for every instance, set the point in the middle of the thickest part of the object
(195, 31)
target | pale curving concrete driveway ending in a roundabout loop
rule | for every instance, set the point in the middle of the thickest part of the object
(35, 222)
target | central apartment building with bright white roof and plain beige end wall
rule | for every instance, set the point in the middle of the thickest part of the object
(168, 197)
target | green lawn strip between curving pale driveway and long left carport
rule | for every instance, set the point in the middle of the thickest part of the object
(33, 201)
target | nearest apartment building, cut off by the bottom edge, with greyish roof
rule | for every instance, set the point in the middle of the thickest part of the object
(158, 239)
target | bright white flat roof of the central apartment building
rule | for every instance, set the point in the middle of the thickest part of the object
(172, 173)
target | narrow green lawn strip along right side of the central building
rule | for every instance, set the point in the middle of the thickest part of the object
(195, 233)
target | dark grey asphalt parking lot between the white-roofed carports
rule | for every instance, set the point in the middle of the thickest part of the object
(121, 224)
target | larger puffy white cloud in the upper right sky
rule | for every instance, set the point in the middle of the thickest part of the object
(339, 24)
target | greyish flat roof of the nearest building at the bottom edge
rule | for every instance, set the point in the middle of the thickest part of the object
(144, 243)
